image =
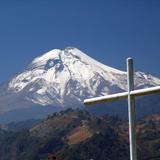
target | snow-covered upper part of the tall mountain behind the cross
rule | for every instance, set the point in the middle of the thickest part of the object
(66, 77)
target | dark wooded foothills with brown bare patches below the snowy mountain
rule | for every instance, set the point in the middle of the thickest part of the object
(79, 135)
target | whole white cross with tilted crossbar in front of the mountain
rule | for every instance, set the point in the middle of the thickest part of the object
(131, 94)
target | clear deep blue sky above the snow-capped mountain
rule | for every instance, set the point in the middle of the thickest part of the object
(107, 30)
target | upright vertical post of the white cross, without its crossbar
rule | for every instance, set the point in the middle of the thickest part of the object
(131, 110)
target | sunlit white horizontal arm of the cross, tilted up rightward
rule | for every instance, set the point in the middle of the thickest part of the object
(123, 95)
